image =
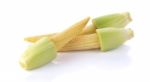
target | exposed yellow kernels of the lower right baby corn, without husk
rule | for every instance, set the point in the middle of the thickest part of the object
(82, 42)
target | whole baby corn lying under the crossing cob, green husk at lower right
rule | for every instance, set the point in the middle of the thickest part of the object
(102, 39)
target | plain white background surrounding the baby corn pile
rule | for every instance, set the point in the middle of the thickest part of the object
(21, 18)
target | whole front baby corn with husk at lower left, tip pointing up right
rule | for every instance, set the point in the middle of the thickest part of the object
(45, 50)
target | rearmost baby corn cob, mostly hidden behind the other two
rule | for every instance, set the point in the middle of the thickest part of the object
(118, 20)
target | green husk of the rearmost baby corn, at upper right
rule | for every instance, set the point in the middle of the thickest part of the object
(117, 20)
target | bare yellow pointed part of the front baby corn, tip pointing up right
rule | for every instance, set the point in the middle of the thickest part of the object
(61, 39)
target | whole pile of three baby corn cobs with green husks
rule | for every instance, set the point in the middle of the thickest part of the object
(106, 32)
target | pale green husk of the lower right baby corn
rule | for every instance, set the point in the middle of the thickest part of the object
(110, 38)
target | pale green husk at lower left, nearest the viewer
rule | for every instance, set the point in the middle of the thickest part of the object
(38, 54)
